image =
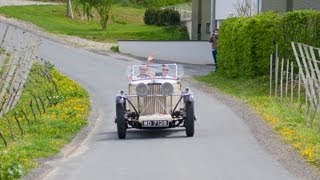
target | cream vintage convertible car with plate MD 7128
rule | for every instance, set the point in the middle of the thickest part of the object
(154, 99)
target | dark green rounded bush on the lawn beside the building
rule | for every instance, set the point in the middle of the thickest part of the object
(162, 17)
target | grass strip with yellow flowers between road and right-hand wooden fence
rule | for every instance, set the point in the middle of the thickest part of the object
(287, 121)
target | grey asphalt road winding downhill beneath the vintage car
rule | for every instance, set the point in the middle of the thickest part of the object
(223, 146)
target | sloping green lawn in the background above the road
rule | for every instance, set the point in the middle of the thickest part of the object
(126, 23)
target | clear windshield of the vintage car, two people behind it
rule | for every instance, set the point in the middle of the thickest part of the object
(154, 71)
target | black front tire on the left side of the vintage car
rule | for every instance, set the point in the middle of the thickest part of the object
(121, 122)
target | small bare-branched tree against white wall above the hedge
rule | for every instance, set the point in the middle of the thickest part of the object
(244, 8)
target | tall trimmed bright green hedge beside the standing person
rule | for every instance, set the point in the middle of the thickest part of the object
(245, 44)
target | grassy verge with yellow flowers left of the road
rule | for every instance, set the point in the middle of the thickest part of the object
(59, 110)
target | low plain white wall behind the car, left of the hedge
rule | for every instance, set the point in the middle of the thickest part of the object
(190, 52)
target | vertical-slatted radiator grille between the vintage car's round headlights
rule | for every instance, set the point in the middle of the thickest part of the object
(154, 104)
